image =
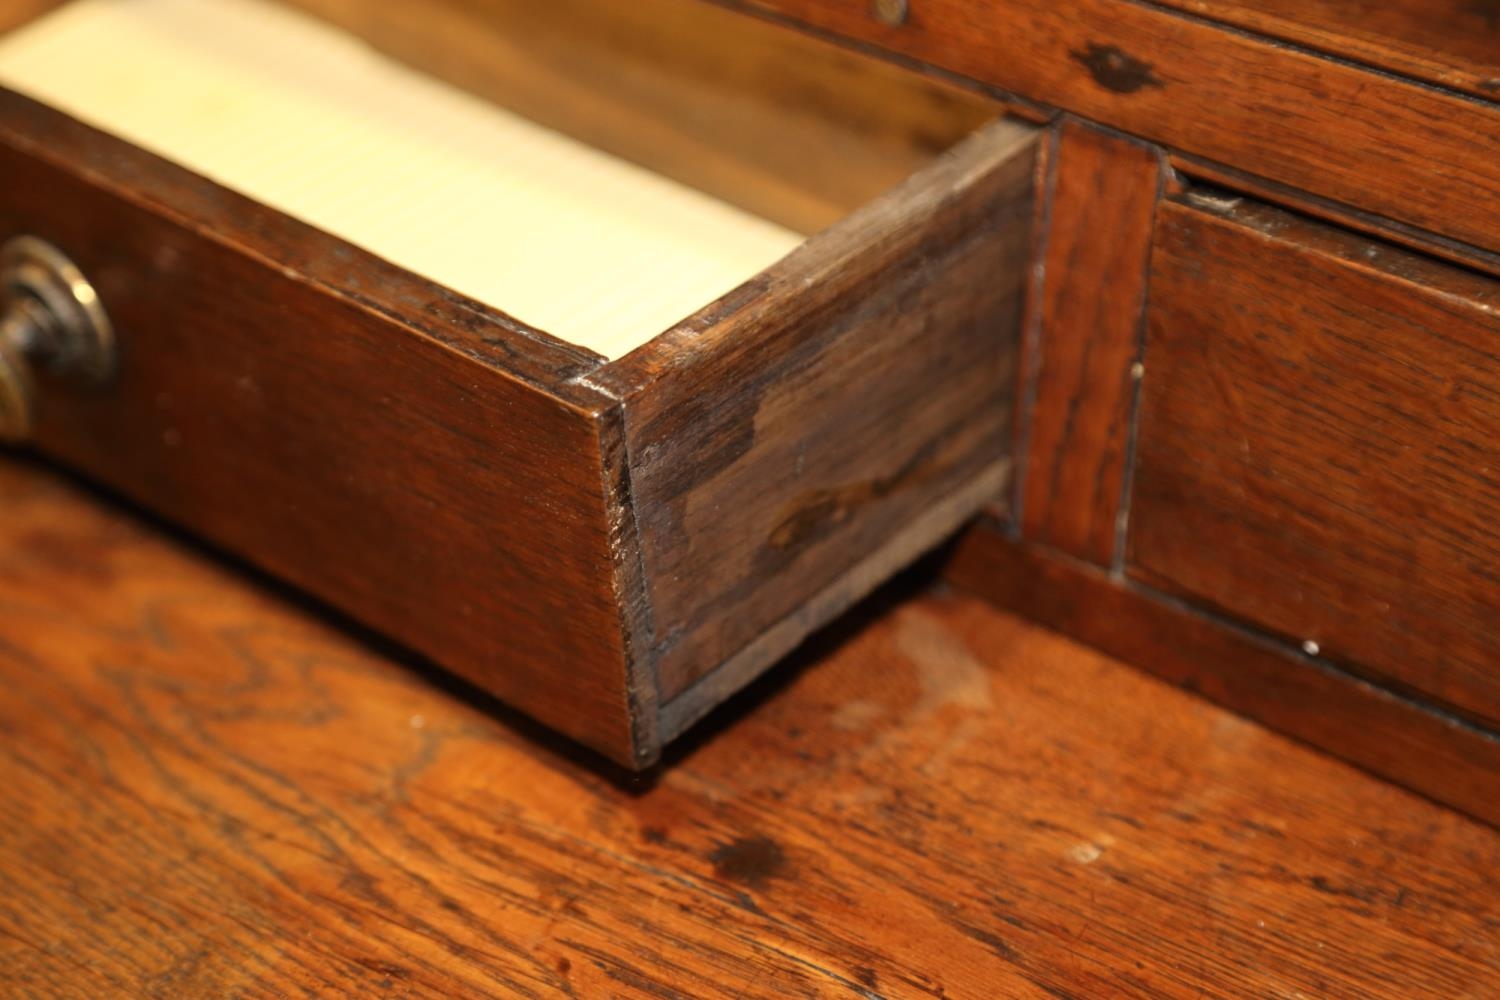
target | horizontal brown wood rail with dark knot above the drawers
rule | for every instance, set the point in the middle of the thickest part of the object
(1349, 134)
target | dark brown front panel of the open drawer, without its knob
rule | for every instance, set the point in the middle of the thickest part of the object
(338, 422)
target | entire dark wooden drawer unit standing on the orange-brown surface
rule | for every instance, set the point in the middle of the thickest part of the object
(602, 353)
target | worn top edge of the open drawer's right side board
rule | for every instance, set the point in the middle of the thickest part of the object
(718, 329)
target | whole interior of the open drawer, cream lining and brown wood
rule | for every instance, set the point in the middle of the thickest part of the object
(596, 170)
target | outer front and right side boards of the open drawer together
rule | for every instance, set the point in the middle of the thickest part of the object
(613, 548)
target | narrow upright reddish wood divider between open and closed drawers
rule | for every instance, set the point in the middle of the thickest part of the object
(1088, 331)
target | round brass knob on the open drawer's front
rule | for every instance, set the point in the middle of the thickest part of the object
(53, 320)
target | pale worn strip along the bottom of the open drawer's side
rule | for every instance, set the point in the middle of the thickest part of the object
(928, 530)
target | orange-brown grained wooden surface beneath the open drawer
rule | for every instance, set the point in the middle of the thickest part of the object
(206, 792)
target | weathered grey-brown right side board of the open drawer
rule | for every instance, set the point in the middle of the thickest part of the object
(802, 424)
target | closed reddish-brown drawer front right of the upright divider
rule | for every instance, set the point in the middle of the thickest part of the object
(1321, 446)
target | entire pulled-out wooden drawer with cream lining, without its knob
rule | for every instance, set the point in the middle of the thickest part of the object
(610, 533)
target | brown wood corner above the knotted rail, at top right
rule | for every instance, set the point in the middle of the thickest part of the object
(1448, 43)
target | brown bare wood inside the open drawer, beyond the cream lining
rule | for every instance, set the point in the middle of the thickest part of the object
(758, 115)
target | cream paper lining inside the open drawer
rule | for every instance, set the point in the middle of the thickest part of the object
(308, 121)
